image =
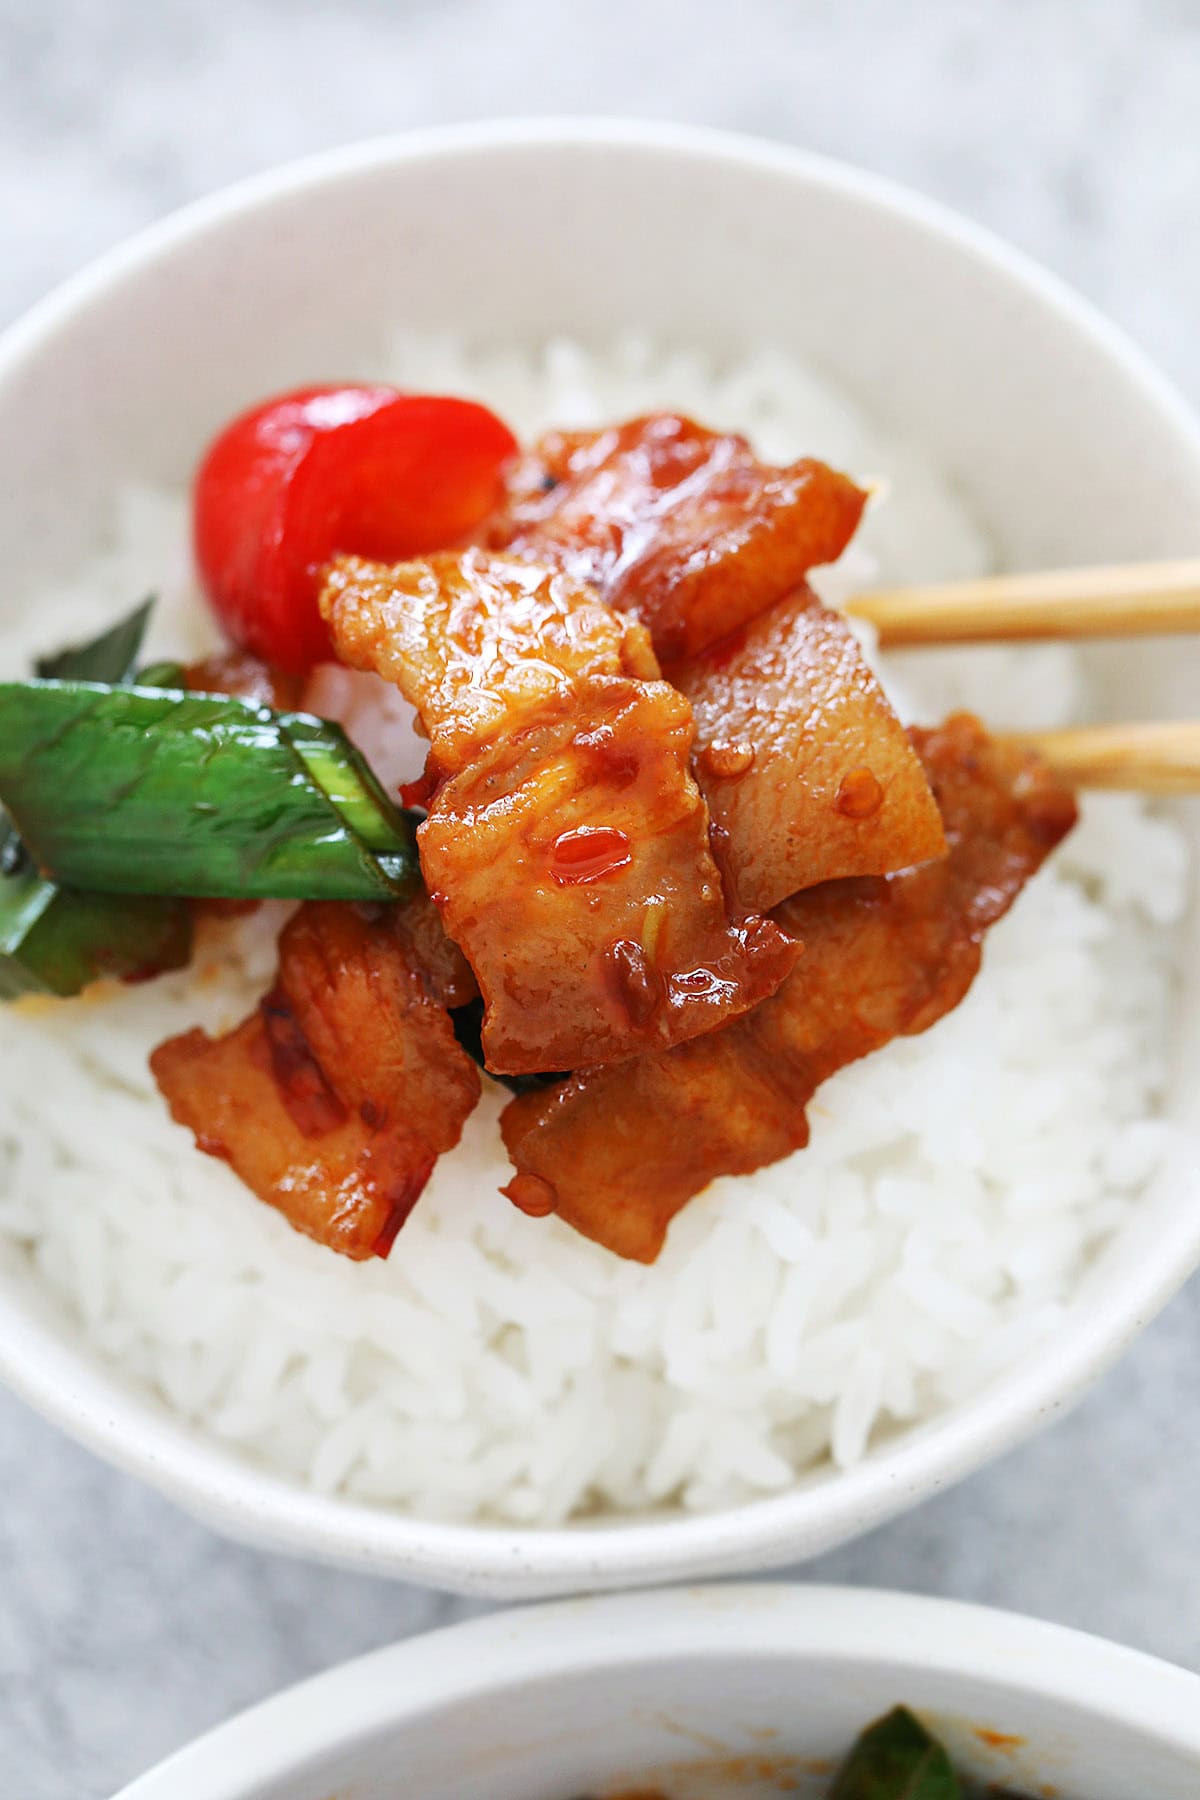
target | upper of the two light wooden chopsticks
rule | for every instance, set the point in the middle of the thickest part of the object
(1134, 600)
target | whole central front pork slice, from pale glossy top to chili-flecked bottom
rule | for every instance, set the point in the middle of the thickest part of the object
(568, 843)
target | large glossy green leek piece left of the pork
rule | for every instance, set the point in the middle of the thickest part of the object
(166, 793)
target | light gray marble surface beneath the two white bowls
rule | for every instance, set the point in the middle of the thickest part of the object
(125, 1628)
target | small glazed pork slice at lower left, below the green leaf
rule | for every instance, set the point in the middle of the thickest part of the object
(337, 1095)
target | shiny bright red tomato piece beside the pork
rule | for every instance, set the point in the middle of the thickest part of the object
(334, 469)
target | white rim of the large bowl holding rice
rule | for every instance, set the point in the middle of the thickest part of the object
(53, 1371)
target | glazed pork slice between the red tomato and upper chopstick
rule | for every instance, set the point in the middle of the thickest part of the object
(803, 764)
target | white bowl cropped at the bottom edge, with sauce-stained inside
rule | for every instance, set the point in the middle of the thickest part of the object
(715, 1693)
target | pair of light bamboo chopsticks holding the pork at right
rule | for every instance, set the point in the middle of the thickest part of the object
(1138, 600)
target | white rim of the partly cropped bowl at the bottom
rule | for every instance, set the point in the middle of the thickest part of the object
(794, 1623)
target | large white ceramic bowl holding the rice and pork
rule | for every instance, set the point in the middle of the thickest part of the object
(1066, 442)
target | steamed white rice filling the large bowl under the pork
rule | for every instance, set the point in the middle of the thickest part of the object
(954, 1192)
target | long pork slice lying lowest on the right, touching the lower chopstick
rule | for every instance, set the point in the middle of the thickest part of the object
(620, 1151)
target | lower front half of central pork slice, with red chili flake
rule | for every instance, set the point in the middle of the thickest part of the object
(575, 870)
